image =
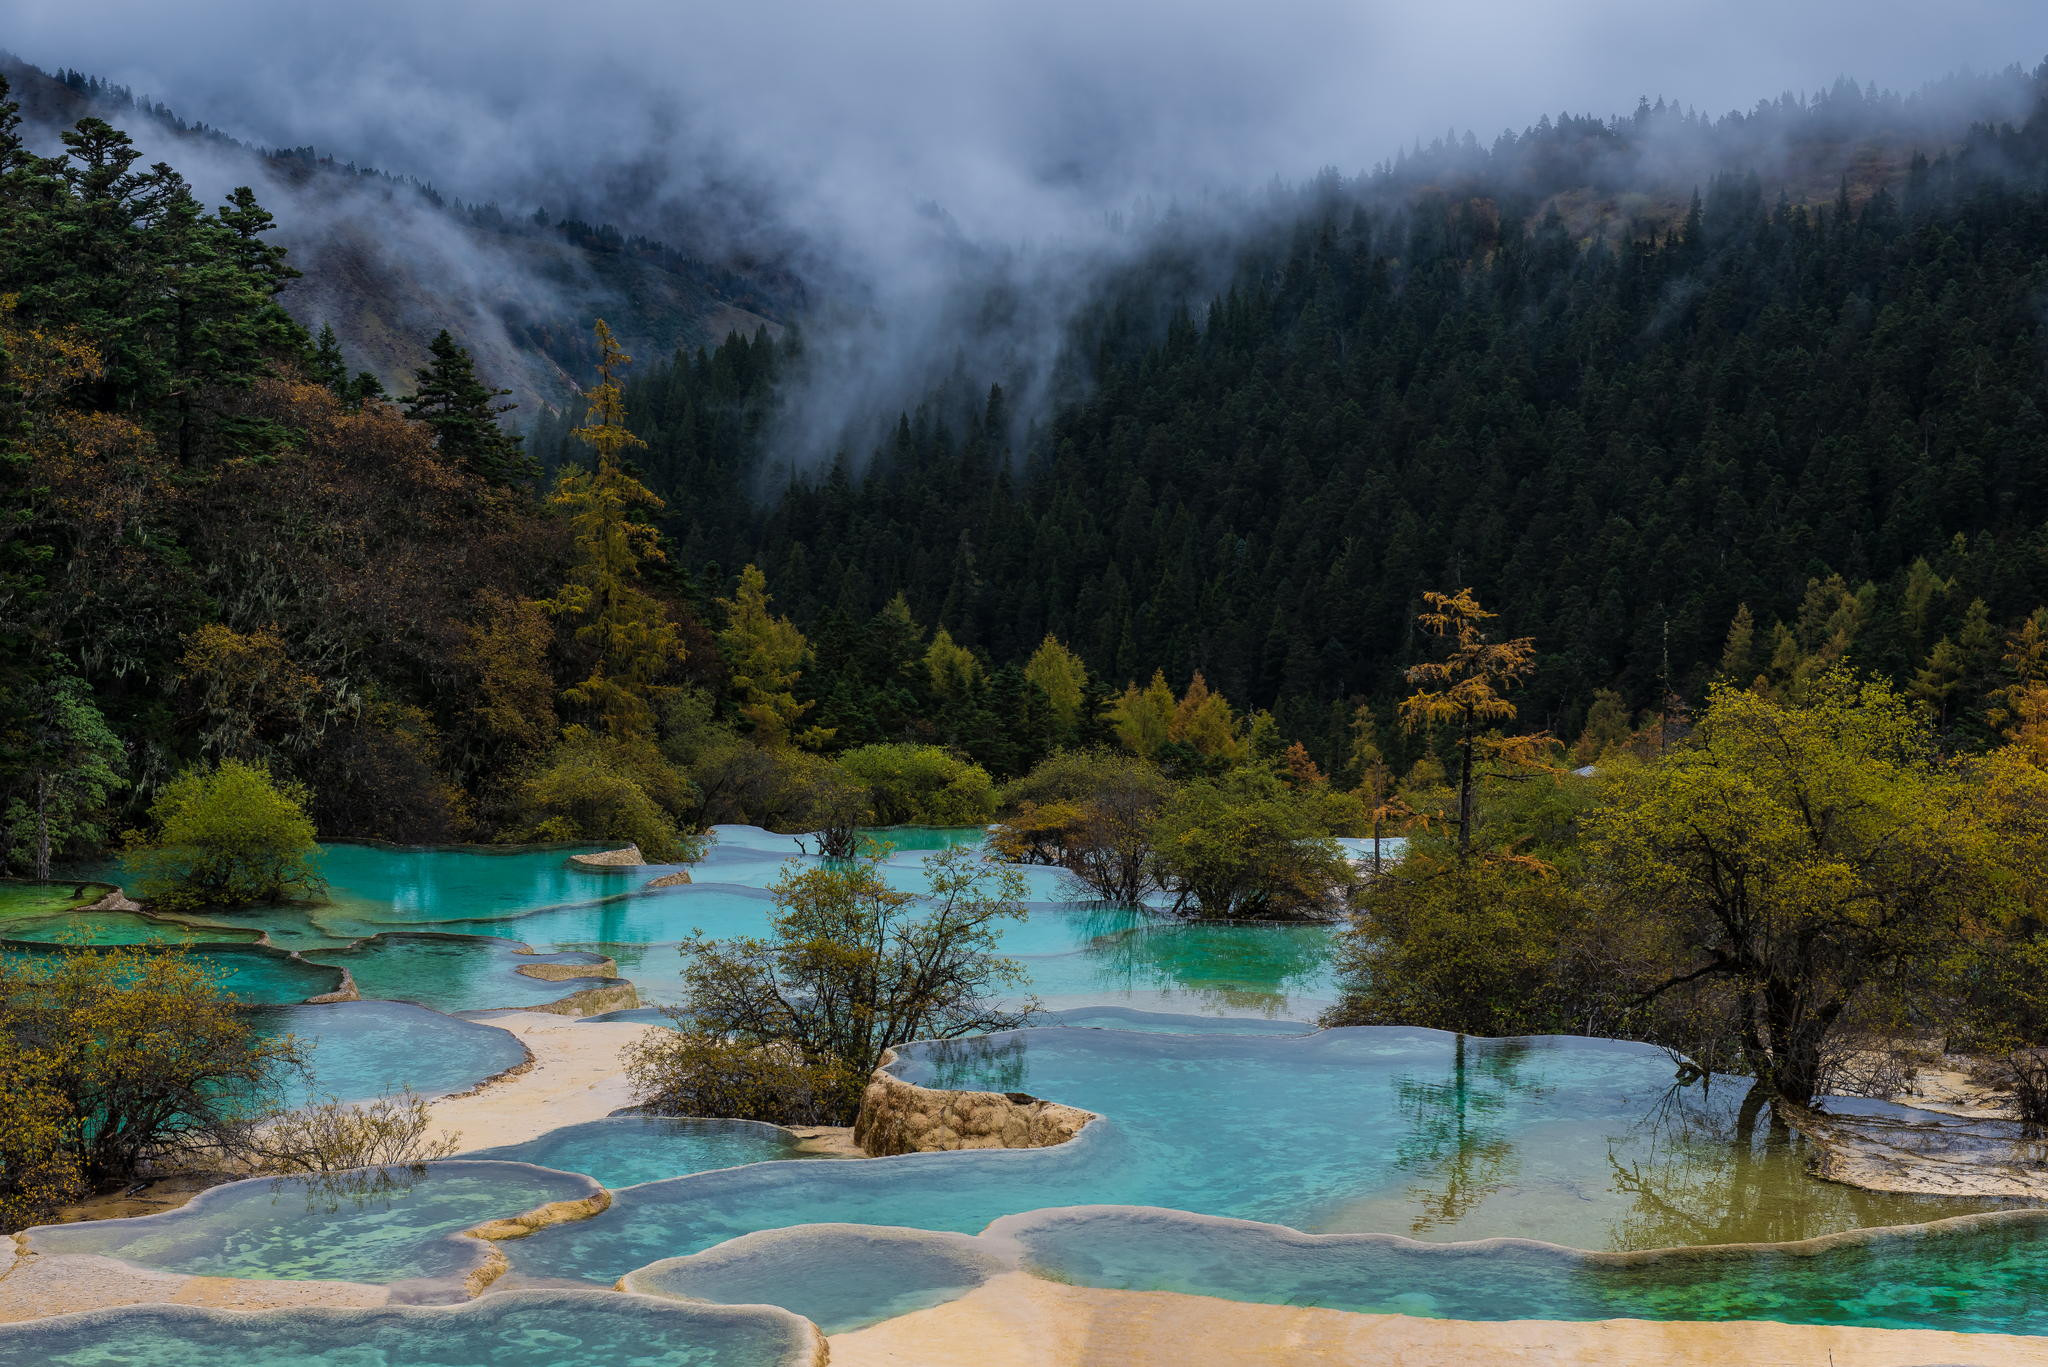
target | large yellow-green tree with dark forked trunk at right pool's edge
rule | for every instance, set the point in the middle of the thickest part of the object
(1811, 860)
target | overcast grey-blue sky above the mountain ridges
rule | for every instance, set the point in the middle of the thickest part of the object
(990, 110)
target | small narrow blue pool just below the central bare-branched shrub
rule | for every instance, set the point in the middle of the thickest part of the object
(642, 1149)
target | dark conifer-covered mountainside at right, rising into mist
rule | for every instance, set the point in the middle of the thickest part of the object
(1789, 417)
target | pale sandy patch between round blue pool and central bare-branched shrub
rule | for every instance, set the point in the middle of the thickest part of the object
(574, 1077)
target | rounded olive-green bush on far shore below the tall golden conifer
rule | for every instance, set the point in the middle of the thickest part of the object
(593, 790)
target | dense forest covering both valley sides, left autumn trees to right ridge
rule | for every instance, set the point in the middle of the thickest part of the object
(1787, 421)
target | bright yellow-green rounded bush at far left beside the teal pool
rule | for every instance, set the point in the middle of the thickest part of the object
(226, 837)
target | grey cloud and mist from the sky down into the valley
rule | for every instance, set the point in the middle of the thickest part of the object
(947, 185)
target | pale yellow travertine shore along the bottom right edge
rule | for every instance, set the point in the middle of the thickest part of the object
(1021, 1321)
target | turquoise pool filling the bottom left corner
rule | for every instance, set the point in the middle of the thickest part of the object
(538, 1329)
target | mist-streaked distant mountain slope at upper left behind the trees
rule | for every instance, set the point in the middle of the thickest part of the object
(386, 290)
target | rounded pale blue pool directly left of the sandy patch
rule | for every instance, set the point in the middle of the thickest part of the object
(364, 1050)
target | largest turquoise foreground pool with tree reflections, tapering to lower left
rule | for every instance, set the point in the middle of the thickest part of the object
(1414, 1132)
